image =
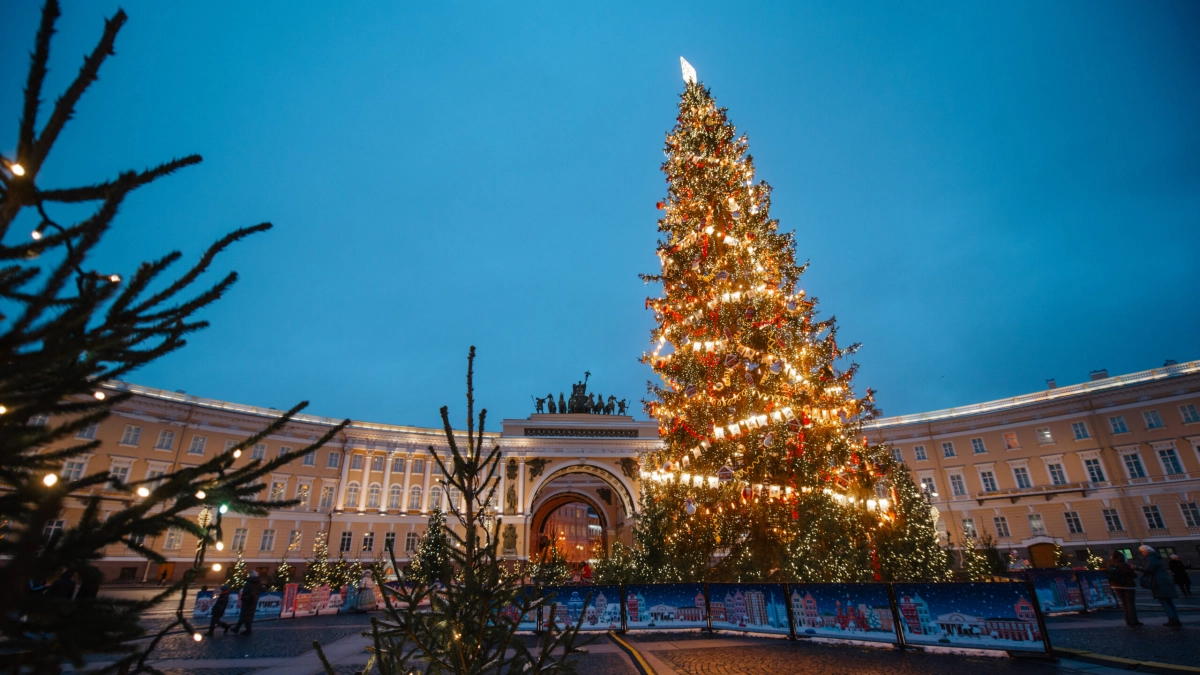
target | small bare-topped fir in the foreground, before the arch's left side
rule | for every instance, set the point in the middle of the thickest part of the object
(466, 624)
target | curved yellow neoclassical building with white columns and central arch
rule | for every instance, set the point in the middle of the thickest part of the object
(1107, 464)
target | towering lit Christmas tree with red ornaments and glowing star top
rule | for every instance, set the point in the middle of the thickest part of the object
(765, 473)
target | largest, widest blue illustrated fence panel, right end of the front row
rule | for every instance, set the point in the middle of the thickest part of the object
(992, 617)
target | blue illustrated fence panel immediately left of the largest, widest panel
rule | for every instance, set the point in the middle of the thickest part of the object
(845, 612)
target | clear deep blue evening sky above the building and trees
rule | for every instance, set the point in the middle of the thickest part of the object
(991, 194)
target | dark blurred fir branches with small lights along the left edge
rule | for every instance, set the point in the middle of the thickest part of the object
(67, 328)
